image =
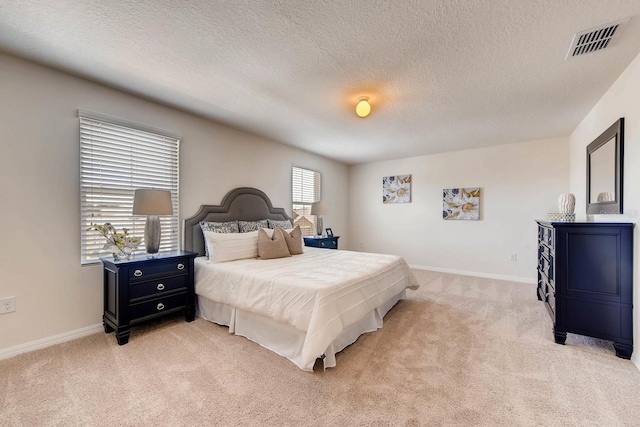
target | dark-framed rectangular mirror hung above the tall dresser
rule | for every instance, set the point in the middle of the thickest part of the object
(604, 171)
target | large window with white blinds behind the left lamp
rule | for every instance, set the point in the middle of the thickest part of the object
(116, 158)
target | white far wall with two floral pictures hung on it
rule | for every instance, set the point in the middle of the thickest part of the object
(519, 183)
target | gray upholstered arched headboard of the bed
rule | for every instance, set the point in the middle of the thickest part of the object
(244, 204)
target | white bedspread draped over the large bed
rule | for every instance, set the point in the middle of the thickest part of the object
(320, 292)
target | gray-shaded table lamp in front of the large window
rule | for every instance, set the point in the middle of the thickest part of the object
(152, 203)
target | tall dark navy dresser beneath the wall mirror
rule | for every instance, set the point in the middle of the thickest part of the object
(585, 278)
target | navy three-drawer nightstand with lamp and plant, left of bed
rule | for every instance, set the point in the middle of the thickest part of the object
(144, 288)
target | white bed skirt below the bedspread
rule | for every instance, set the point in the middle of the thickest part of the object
(284, 339)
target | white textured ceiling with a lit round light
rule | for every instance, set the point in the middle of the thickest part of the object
(442, 75)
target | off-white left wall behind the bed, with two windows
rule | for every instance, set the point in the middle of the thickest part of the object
(40, 214)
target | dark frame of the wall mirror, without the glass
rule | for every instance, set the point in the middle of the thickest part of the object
(615, 131)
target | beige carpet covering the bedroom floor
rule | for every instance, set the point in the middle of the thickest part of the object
(460, 351)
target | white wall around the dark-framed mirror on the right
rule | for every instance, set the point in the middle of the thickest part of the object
(621, 100)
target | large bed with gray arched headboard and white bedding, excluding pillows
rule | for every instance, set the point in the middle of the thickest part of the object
(304, 307)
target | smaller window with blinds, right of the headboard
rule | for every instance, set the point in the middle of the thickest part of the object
(306, 186)
